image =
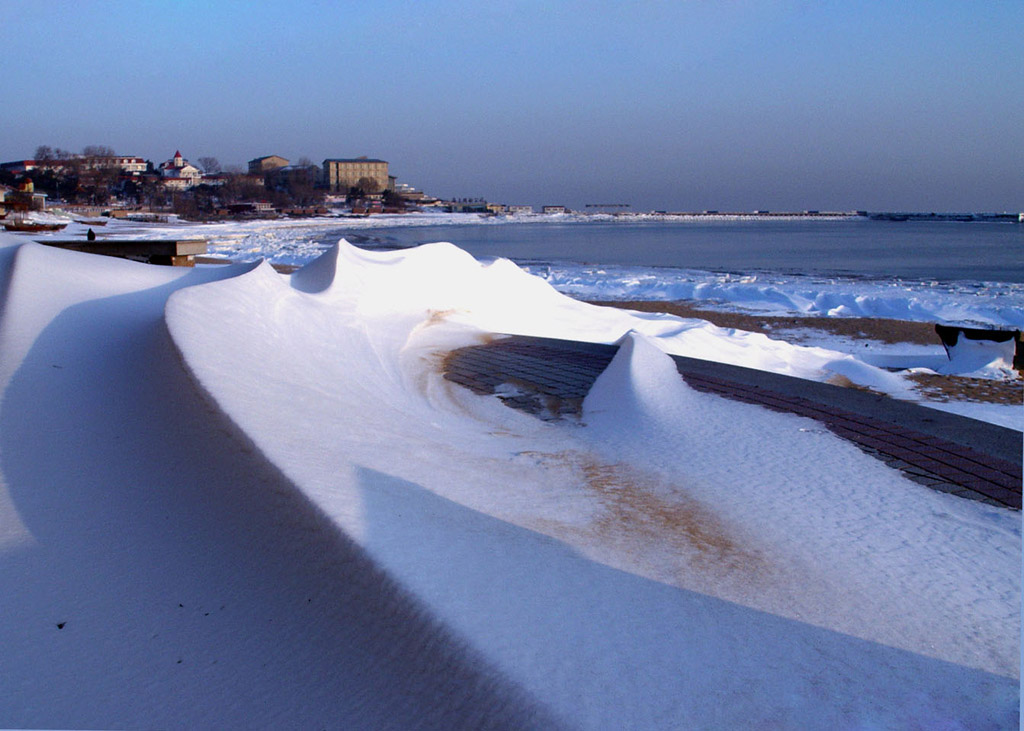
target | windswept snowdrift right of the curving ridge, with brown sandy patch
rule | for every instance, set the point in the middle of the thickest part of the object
(542, 545)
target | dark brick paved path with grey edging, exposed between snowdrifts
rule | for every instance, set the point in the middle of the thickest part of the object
(944, 451)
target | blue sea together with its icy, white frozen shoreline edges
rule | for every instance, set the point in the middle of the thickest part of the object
(953, 272)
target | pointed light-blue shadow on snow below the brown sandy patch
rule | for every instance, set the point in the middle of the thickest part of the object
(610, 650)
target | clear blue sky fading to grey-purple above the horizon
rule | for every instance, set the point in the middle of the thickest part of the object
(676, 106)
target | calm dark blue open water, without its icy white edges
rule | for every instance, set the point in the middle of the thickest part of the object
(913, 250)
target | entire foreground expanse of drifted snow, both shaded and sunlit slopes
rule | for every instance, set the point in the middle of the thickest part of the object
(231, 497)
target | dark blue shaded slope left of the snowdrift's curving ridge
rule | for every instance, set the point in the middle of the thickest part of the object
(176, 579)
